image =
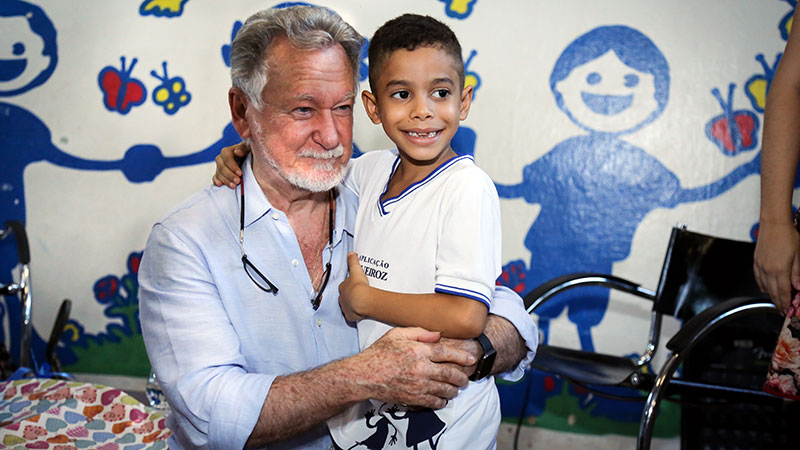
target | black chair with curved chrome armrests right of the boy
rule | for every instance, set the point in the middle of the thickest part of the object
(706, 282)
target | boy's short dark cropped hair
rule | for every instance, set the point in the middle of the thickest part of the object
(410, 32)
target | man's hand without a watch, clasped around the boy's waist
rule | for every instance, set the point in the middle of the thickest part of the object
(402, 367)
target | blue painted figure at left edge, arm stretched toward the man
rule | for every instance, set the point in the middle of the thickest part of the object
(28, 57)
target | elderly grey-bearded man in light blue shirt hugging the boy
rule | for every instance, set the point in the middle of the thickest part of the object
(238, 288)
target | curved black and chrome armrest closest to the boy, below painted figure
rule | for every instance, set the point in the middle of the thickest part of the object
(547, 290)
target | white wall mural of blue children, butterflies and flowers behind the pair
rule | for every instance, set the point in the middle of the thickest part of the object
(601, 127)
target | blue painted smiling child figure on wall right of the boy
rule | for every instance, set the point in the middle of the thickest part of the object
(596, 188)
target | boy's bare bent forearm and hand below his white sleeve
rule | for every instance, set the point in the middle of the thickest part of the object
(452, 315)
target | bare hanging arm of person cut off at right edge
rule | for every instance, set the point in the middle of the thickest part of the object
(777, 255)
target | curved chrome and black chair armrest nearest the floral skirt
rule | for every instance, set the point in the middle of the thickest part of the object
(698, 326)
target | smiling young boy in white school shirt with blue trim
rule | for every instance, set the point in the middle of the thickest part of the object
(427, 235)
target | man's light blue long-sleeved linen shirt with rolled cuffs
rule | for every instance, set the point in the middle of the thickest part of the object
(217, 342)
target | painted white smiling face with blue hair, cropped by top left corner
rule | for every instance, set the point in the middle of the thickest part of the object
(27, 47)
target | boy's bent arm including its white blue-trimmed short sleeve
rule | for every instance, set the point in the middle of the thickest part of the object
(467, 263)
